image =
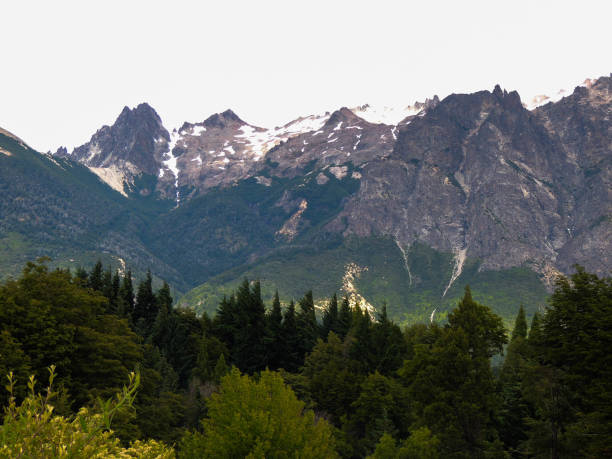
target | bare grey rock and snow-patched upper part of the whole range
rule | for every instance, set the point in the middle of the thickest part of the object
(477, 175)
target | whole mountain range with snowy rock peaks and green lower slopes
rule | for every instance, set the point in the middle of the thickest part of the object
(475, 188)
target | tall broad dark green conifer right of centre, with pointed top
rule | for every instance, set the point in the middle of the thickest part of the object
(451, 382)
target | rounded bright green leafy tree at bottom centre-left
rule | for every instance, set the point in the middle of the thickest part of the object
(258, 419)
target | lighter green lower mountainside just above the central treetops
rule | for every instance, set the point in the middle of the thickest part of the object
(383, 278)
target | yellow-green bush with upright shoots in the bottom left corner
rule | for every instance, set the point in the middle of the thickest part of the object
(32, 430)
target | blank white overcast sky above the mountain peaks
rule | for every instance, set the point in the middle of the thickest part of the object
(68, 67)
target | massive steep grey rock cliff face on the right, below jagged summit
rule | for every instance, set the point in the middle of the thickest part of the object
(482, 177)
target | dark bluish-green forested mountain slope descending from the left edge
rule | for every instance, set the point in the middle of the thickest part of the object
(56, 207)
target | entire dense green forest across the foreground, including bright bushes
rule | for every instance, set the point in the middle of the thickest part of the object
(269, 381)
